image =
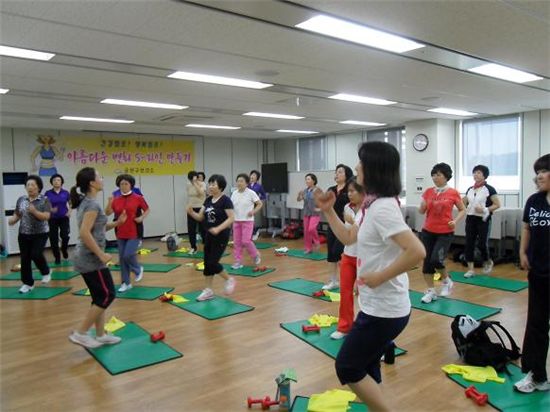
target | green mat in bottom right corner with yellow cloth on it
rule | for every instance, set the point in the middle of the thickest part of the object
(504, 397)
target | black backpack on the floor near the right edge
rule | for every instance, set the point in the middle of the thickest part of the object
(478, 349)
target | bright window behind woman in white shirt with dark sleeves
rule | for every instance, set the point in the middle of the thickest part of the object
(494, 143)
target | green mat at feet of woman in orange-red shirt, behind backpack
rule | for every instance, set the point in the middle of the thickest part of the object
(452, 307)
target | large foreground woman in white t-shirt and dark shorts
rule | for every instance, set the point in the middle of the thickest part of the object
(386, 249)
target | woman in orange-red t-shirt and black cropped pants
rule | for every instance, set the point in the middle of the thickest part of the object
(438, 230)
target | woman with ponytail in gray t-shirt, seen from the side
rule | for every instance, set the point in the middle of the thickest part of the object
(91, 259)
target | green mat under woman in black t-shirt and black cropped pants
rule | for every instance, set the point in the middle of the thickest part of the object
(212, 309)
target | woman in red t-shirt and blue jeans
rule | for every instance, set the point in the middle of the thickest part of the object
(127, 234)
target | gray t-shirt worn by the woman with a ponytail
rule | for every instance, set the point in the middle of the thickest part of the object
(85, 259)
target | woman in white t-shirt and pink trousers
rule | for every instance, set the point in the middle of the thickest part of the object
(246, 204)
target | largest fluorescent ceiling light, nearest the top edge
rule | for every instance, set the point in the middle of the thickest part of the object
(356, 33)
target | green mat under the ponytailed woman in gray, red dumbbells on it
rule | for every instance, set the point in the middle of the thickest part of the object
(134, 351)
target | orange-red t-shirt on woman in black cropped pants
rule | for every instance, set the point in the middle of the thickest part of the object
(439, 209)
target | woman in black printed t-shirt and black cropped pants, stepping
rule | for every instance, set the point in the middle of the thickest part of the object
(217, 214)
